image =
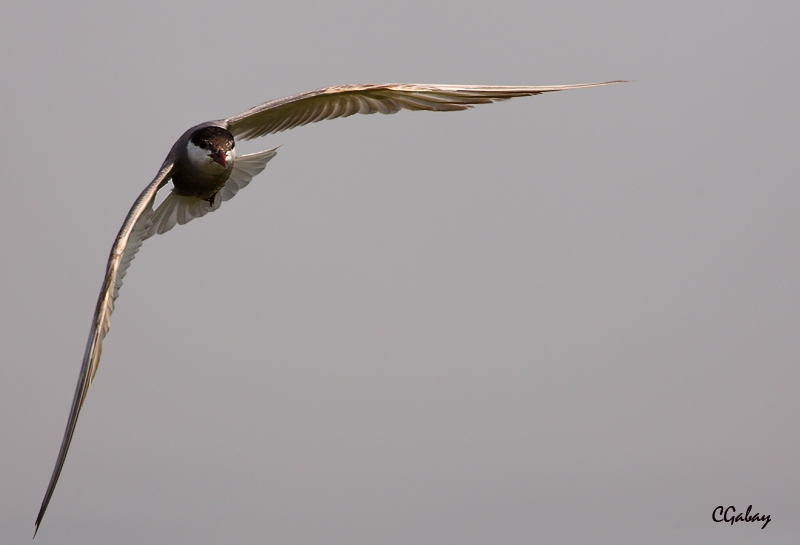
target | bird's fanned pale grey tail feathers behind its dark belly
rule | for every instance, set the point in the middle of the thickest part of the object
(181, 209)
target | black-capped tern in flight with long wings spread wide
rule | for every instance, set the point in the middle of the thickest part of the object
(205, 171)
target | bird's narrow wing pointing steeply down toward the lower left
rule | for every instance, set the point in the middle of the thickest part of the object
(127, 243)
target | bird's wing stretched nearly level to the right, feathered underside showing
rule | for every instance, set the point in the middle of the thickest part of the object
(345, 100)
